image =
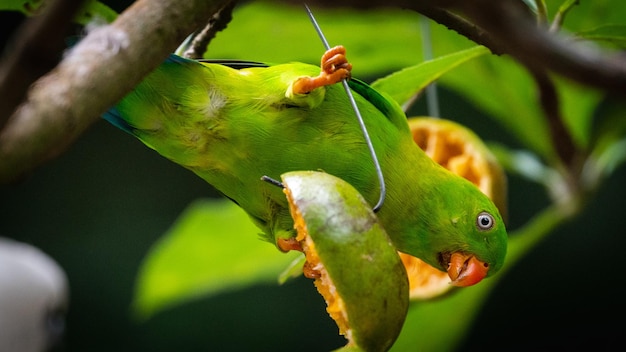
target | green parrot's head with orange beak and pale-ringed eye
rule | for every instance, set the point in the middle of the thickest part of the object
(454, 228)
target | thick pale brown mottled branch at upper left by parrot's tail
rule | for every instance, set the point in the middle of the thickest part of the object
(93, 76)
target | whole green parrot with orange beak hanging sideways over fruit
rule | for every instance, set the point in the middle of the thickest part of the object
(233, 122)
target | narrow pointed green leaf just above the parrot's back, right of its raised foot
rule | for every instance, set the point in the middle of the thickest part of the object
(404, 85)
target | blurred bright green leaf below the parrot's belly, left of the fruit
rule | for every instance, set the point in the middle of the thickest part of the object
(210, 249)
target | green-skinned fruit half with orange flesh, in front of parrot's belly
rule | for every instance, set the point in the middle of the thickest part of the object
(355, 266)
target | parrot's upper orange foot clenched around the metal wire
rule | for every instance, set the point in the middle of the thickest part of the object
(335, 67)
